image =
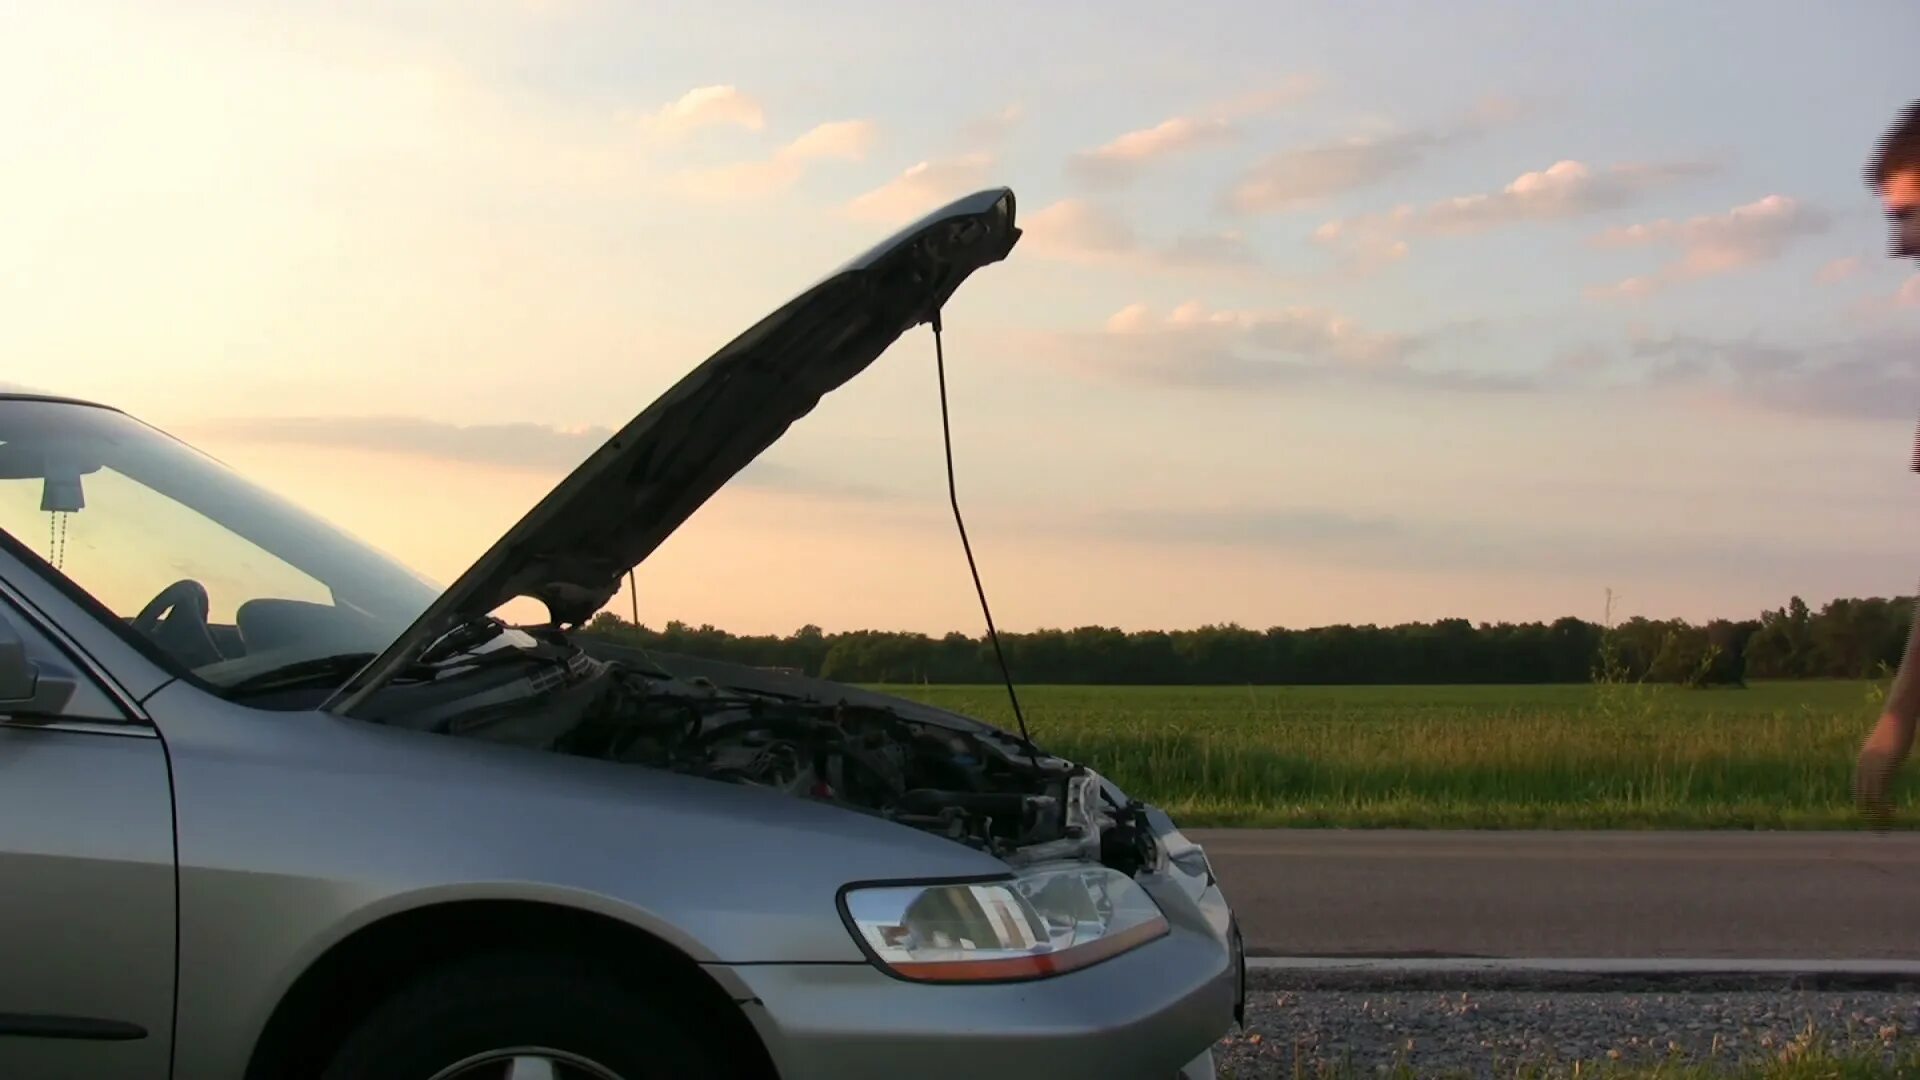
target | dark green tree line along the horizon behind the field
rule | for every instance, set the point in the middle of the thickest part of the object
(1846, 639)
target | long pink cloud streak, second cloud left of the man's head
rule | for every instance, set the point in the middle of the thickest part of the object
(1562, 191)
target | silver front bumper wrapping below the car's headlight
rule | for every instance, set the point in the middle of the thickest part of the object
(1151, 1014)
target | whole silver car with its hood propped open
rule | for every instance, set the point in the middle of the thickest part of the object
(276, 806)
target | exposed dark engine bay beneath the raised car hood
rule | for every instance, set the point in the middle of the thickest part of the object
(988, 791)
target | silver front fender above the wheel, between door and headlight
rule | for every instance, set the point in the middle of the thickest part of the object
(299, 829)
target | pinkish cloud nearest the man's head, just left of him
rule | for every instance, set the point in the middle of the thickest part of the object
(1717, 243)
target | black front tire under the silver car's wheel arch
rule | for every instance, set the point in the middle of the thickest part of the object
(529, 1000)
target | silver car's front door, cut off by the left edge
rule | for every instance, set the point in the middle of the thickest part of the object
(87, 871)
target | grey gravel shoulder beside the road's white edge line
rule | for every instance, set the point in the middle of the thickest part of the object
(1301, 1025)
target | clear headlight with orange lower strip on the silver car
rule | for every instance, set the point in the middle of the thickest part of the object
(1045, 921)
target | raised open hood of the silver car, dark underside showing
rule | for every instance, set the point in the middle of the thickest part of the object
(575, 547)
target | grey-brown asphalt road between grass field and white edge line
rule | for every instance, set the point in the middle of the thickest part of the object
(1572, 895)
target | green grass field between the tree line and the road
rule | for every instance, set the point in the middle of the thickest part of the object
(1771, 756)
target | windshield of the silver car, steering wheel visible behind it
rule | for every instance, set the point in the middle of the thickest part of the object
(222, 577)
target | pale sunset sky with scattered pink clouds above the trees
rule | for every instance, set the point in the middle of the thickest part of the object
(1322, 312)
